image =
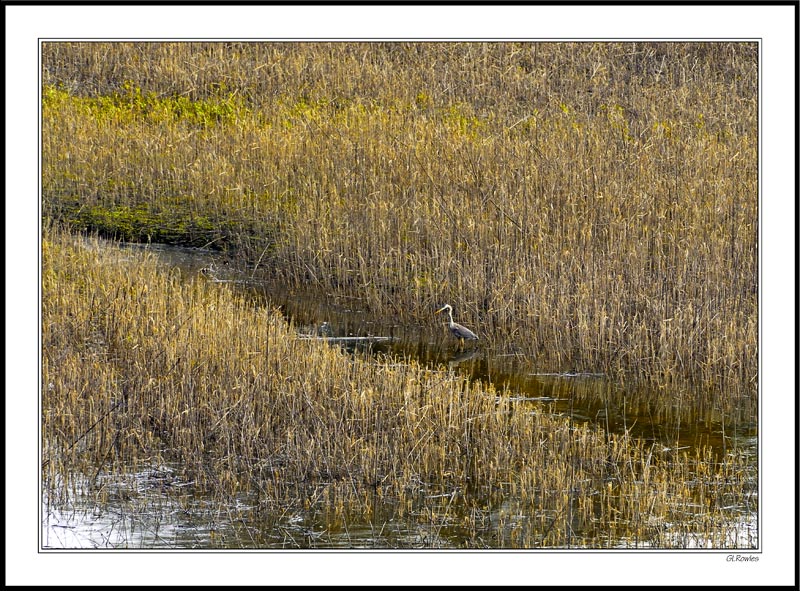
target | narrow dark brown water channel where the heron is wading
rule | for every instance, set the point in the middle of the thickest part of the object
(584, 396)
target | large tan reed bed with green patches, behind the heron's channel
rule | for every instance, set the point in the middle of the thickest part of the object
(592, 204)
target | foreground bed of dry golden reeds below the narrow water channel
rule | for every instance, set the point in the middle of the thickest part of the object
(141, 369)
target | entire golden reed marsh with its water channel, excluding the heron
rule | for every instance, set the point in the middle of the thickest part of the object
(589, 209)
